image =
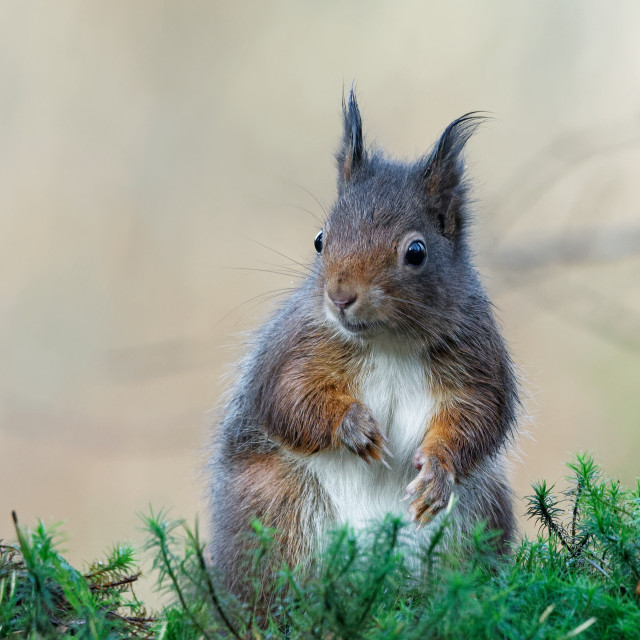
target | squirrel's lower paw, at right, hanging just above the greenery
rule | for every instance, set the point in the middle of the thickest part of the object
(433, 486)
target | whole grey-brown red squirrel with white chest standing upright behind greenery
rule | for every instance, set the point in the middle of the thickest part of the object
(384, 376)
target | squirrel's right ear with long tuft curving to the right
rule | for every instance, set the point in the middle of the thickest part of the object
(443, 175)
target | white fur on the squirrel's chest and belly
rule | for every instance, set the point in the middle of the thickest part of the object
(393, 385)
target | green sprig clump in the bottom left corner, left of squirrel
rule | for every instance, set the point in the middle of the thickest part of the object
(42, 596)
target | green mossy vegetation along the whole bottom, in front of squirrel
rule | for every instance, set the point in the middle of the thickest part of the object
(579, 579)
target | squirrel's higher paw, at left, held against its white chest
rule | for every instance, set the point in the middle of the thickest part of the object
(360, 432)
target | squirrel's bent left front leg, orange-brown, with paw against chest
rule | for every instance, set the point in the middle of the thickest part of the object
(310, 408)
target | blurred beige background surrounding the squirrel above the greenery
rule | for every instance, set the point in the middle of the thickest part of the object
(150, 151)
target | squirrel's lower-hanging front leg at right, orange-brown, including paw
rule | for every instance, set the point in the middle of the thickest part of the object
(469, 426)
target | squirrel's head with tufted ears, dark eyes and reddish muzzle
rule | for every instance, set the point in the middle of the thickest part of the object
(392, 256)
